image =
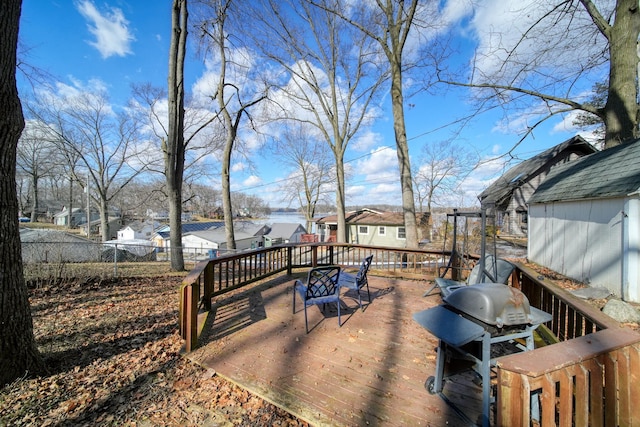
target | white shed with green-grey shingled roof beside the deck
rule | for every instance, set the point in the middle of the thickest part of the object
(584, 220)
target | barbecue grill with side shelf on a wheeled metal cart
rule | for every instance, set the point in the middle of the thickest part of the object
(471, 321)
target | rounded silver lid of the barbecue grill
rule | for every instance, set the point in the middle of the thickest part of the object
(492, 303)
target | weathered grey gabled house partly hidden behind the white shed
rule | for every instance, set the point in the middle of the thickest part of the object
(507, 197)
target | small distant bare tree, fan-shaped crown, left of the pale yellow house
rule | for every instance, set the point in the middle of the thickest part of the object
(313, 177)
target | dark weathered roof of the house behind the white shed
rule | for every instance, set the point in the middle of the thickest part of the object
(502, 188)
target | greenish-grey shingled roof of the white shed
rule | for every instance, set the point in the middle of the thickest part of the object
(614, 172)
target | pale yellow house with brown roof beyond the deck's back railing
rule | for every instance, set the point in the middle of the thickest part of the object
(367, 227)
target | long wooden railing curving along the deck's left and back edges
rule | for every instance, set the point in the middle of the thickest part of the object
(217, 276)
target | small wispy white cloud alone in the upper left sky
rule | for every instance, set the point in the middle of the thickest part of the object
(111, 31)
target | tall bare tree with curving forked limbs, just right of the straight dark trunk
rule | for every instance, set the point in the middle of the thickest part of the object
(231, 101)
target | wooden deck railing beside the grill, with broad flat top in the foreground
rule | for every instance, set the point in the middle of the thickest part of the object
(589, 378)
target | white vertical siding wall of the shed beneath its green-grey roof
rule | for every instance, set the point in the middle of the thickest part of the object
(580, 239)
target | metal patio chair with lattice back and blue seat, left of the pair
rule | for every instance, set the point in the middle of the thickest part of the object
(321, 288)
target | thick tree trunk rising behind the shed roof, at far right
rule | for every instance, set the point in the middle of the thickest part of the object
(621, 110)
